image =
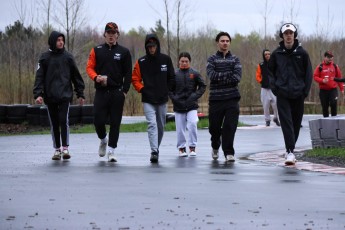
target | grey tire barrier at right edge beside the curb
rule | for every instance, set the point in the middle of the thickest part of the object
(327, 132)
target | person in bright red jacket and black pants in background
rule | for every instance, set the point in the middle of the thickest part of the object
(326, 75)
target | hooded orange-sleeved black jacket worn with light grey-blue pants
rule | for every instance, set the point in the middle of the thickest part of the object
(153, 75)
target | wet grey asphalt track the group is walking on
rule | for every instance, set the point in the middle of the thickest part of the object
(87, 192)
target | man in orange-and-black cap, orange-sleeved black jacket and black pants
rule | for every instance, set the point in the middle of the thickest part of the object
(110, 67)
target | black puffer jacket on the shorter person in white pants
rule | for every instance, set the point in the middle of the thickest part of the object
(189, 88)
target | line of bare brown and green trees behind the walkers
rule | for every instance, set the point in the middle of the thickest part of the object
(20, 48)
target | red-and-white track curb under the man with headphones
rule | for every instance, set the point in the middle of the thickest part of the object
(277, 158)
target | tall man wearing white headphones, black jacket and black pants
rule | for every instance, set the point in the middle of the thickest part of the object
(291, 81)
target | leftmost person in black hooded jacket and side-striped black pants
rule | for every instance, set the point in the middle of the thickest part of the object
(56, 73)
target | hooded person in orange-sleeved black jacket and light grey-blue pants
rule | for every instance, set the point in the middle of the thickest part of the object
(154, 76)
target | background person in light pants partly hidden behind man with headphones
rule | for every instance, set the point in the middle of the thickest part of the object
(267, 97)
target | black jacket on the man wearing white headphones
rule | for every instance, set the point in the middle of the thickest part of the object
(292, 71)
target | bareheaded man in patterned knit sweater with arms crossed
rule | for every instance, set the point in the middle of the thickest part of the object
(224, 71)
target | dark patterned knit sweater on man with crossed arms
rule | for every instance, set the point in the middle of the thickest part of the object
(224, 73)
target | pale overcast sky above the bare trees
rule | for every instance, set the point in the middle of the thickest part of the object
(233, 16)
